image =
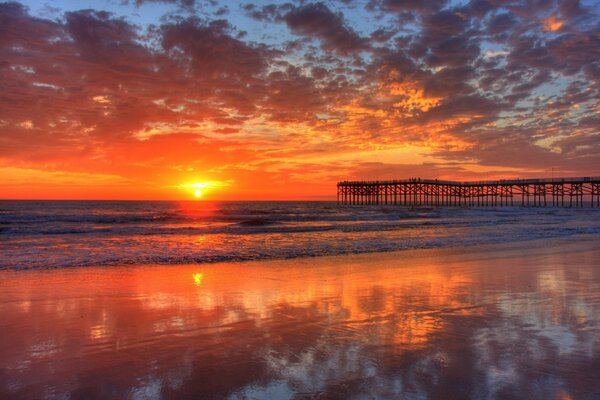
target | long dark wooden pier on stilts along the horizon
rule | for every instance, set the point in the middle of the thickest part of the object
(551, 192)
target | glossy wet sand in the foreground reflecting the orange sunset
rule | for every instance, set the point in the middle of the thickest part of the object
(507, 321)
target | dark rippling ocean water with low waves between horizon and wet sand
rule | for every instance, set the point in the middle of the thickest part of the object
(62, 234)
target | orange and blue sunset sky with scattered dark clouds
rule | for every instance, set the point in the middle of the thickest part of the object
(264, 100)
